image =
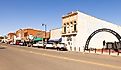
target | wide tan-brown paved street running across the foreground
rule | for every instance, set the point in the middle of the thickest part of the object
(24, 58)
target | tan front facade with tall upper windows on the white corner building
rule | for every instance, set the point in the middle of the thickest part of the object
(69, 30)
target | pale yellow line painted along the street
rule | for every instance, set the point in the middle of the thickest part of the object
(76, 60)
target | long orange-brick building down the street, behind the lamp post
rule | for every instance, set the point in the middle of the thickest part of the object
(25, 34)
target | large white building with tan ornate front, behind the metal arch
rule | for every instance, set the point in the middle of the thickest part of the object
(77, 27)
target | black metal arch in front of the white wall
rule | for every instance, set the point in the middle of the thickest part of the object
(102, 30)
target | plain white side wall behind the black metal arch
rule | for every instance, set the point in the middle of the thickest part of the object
(88, 24)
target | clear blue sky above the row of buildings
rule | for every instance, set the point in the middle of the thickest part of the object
(16, 14)
